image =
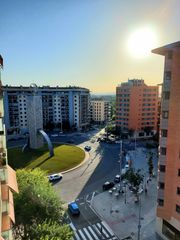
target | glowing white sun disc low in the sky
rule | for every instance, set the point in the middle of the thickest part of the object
(141, 42)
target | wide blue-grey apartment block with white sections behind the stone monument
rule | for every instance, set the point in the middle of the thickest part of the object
(60, 106)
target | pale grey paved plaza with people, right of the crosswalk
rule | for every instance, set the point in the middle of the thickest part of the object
(123, 218)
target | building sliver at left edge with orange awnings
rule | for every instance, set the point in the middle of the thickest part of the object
(8, 183)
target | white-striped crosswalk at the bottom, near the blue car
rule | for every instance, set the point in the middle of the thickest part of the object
(95, 232)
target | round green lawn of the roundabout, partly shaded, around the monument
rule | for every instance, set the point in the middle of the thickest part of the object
(65, 157)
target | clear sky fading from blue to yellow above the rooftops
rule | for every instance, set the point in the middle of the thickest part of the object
(85, 43)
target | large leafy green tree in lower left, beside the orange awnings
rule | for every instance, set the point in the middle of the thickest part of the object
(36, 202)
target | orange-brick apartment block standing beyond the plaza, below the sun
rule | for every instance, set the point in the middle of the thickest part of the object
(136, 106)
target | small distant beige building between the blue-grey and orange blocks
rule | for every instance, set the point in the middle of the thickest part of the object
(100, 111)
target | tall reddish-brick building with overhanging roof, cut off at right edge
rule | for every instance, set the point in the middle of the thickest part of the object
(168, 209)
